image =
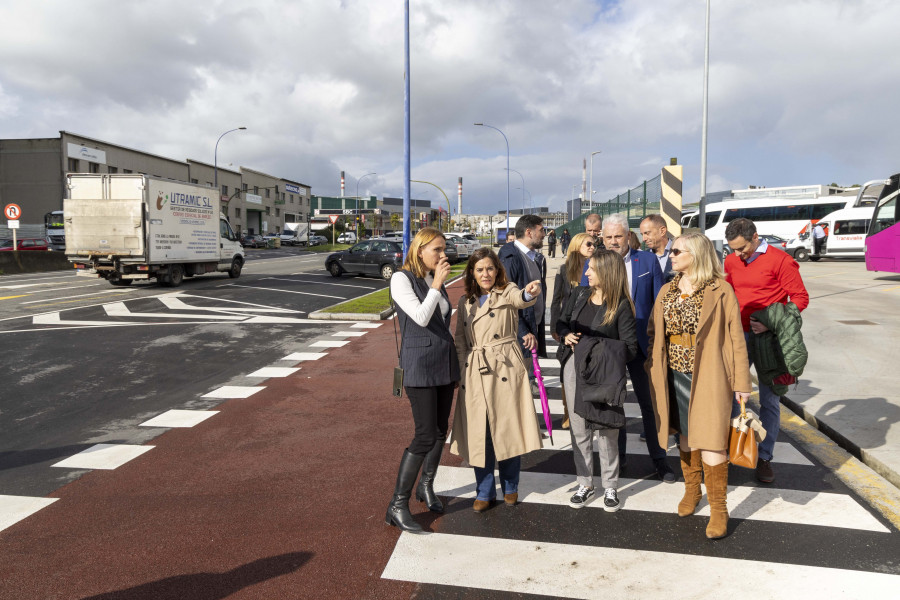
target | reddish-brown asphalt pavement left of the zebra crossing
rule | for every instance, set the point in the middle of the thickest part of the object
(280, 495)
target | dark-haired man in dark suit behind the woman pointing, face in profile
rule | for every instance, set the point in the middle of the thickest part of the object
(524, 264)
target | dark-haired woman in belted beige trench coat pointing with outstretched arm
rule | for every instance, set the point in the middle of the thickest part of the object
(494, 418)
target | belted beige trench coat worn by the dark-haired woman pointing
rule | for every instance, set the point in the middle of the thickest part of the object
(494, 388)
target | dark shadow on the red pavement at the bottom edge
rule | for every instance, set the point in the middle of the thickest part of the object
(211, 586)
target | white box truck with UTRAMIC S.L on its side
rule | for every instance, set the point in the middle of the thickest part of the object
(128, 227)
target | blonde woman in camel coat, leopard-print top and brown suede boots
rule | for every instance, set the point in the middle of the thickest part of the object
(697, 362)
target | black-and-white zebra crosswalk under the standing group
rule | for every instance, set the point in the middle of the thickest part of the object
(805, 536)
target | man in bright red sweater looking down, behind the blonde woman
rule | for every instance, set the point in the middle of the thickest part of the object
(762, 275)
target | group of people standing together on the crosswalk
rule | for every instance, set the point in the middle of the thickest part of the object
(671, 318)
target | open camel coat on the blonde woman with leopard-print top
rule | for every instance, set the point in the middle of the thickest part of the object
(721, 367)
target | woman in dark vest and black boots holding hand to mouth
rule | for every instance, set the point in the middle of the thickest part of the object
(430, 369)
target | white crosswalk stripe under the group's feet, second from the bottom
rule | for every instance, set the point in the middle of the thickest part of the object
(650, 495)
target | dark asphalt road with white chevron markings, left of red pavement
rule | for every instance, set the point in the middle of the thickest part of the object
(86, 363)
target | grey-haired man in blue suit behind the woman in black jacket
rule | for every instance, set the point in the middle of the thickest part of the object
(645, 278)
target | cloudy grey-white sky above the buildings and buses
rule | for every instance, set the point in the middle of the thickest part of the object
(801, 91)
